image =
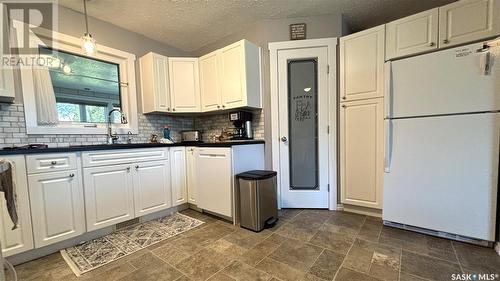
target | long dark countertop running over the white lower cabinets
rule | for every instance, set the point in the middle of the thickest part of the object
(75, 148)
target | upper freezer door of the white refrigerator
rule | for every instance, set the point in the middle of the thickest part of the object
(449, 81)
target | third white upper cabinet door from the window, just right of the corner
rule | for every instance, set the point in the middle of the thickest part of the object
(210, 83)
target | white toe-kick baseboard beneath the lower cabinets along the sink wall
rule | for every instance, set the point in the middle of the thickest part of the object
(50, 249)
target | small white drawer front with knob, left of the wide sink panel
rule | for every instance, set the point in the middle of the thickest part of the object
(50, 162)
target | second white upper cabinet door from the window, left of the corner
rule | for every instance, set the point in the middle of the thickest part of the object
(184, 84)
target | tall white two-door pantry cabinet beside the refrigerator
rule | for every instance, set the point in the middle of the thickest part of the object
(361, 118)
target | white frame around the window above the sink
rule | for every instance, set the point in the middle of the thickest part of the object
(71, 44)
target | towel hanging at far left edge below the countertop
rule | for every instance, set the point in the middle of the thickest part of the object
(7, 186)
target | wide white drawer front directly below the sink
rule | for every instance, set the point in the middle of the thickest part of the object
(112, 157)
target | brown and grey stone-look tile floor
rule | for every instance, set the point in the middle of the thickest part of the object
(305, 245)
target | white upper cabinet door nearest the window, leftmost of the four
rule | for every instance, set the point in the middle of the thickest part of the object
(154, 83)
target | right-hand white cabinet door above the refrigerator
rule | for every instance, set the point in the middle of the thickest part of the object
(467, 21)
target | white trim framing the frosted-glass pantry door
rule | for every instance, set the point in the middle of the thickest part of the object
(274, 48)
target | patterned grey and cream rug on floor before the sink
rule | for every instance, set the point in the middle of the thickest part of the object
(100, 251)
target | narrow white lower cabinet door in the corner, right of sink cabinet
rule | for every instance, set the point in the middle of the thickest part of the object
(178, 170)
